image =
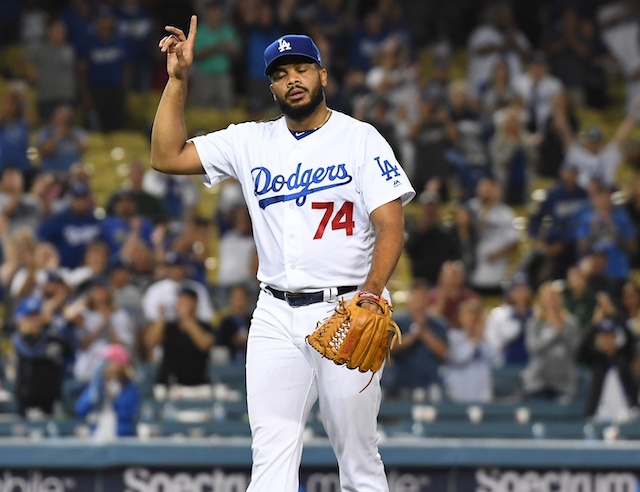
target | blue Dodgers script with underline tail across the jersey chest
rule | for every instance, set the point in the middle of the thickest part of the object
(296, 186)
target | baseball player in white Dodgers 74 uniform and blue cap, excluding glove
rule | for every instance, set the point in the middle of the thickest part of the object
(325, 194)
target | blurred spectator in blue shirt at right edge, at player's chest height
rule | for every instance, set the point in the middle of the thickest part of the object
(611, 228)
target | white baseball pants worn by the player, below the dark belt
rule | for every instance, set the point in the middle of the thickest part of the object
(285, 376)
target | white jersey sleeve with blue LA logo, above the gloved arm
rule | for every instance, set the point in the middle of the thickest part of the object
(381, 178)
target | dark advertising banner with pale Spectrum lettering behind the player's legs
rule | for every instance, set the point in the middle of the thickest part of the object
(145, 479)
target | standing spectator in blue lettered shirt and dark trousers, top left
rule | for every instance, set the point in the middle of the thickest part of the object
(103, 63)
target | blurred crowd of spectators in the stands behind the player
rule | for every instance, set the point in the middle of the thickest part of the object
(516, 122)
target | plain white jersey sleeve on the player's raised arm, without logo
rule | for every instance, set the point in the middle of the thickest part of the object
(216, 151)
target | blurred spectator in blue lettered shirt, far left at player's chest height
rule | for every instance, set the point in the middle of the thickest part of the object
(72, 229)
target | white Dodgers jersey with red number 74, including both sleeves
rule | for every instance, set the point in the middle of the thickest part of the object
(309, 199)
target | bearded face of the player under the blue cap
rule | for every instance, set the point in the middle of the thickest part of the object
(298, 88)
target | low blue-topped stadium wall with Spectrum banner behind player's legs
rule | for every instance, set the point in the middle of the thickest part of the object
(187, 465)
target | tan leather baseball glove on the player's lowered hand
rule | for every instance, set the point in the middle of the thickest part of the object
(356, 336)
